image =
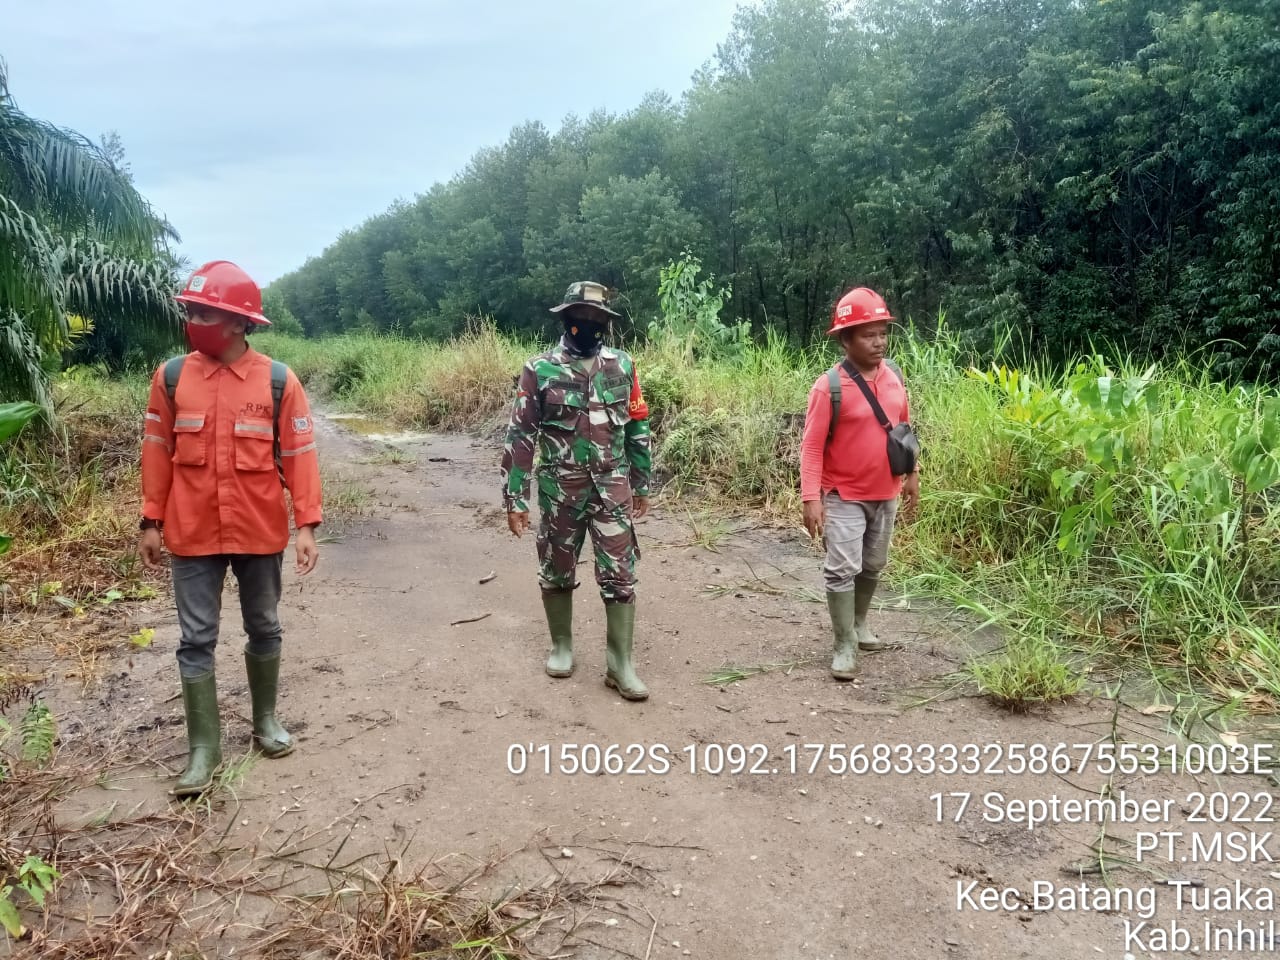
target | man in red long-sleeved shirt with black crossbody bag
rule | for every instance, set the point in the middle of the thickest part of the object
(851, 495)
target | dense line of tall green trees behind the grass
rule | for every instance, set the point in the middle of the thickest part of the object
(1050, 172)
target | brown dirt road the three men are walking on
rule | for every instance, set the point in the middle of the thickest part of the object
(415, 683)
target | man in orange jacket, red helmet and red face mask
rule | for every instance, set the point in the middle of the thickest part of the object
(227, 431)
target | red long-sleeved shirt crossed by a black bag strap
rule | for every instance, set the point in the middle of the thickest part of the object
(856, 464)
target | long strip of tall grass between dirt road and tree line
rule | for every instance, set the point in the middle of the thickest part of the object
(1095, 514)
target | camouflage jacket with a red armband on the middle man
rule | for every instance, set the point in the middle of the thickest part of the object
(587, 417)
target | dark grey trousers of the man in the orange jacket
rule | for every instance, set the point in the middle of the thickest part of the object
(198, 588)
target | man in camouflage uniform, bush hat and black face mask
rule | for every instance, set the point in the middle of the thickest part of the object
(580, 404)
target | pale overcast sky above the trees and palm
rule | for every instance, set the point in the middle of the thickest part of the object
(263, 129)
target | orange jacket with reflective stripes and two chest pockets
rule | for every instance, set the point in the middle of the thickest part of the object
(208, 465)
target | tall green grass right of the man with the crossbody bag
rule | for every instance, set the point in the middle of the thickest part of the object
(1128, 508)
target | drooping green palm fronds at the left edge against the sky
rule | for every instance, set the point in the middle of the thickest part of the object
(75, 236)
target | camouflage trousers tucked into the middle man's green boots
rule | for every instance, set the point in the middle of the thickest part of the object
(570, 509)
